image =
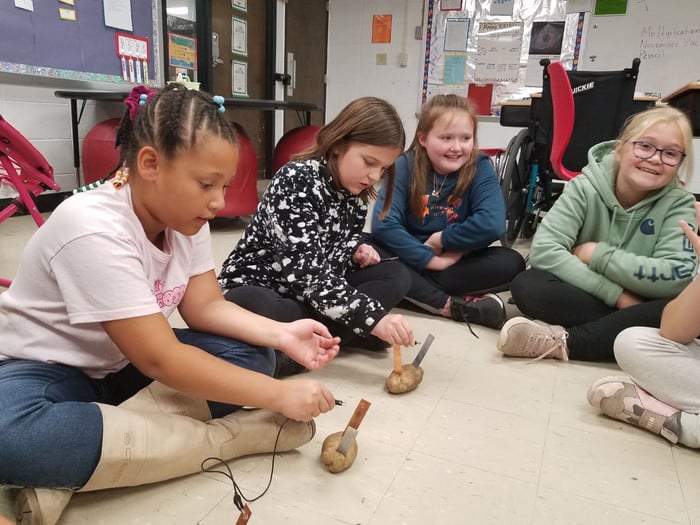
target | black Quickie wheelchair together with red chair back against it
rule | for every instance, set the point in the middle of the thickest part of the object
(576, 110)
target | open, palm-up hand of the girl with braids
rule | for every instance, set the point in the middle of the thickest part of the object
(309, 343)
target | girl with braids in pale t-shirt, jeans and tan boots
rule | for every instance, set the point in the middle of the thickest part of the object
(87, 350)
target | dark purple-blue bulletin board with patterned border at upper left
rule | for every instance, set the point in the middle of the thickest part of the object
(40, 43)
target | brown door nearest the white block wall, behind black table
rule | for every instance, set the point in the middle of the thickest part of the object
(306, 42)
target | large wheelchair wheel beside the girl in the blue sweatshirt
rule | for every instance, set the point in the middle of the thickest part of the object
(514, 178)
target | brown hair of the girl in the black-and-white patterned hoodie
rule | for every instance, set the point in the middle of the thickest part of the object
(366, 120)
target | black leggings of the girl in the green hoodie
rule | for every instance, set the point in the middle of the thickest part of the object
(592, 325)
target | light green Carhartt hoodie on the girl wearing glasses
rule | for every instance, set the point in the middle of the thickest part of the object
(641, 249)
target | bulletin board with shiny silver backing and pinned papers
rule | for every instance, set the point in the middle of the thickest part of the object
(455, 44)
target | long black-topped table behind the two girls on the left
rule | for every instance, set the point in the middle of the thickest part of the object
(304, 109)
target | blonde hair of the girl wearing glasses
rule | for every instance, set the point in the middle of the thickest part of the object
(637, 124)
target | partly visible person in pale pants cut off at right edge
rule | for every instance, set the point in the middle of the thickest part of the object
(661, 392)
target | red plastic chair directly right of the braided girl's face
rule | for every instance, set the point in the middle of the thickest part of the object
(242, 195)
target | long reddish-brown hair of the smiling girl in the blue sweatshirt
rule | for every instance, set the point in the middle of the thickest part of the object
(433, 109)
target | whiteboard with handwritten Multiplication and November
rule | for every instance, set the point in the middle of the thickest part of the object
(664, 34)
